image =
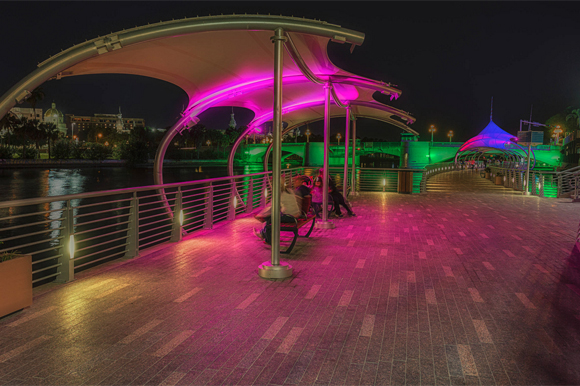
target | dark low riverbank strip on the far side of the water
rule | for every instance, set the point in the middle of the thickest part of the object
(67, 164)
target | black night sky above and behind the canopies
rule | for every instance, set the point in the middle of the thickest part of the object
(448, 58)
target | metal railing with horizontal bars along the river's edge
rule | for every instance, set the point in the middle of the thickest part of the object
(67, 234)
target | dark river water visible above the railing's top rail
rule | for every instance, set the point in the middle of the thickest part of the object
(17, 184)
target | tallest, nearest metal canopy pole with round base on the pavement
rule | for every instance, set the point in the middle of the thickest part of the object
(276, 269)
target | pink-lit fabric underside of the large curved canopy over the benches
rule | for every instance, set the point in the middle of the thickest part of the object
(234, 68)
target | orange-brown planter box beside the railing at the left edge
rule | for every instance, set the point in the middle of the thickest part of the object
(15, 284)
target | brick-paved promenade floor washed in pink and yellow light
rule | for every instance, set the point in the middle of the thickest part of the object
(467, 284)
